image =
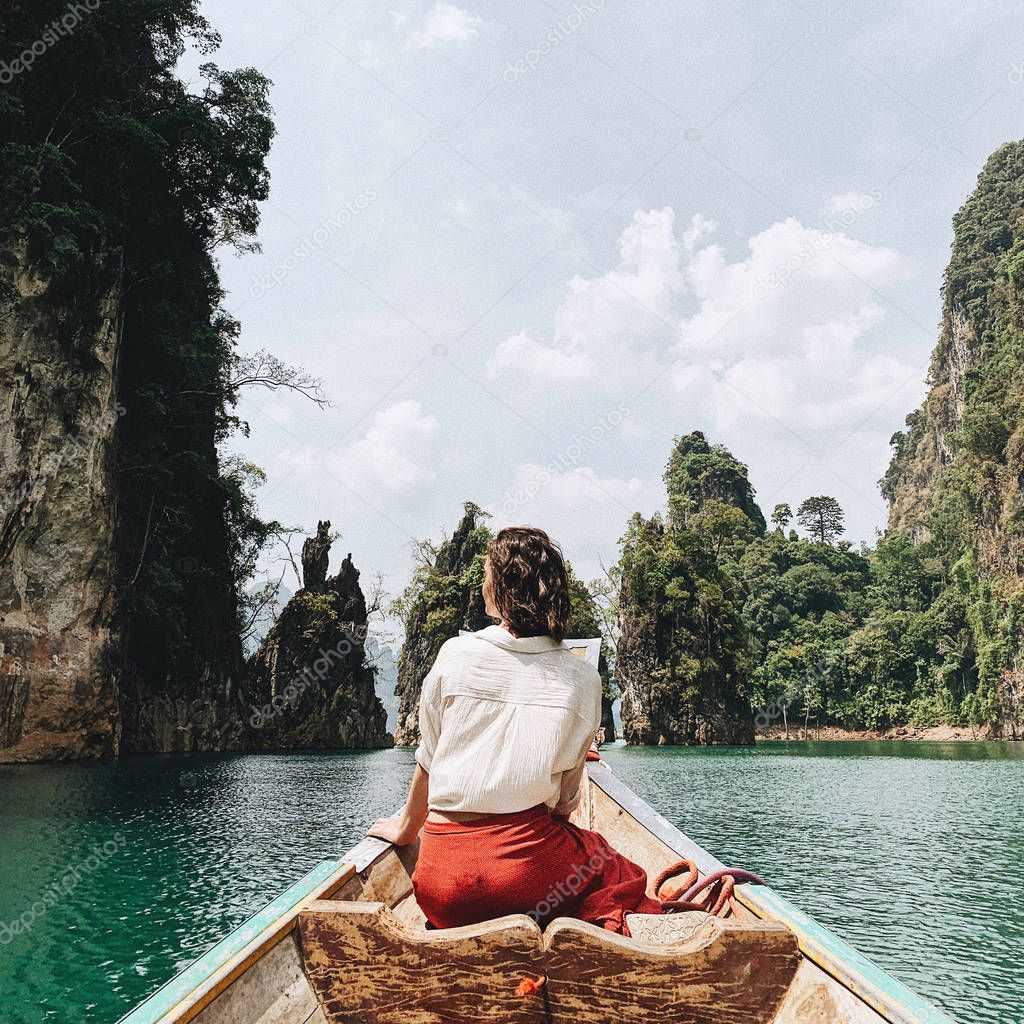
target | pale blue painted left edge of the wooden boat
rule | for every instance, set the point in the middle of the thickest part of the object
(165, 999)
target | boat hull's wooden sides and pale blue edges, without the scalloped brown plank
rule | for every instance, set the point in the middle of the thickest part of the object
(259, 973)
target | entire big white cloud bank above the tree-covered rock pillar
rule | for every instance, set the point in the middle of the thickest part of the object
(788, 334)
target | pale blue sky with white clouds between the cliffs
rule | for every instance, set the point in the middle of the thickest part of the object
(528, 245)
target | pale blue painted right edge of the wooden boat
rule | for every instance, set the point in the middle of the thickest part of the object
(854, 970)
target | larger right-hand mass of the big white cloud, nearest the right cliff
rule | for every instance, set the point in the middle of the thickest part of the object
(783, 334)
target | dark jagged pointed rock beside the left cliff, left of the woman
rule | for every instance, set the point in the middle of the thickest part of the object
(310, 685)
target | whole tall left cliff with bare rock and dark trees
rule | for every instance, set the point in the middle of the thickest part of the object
(126, 532)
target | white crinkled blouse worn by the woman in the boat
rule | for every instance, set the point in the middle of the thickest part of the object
(503, 719)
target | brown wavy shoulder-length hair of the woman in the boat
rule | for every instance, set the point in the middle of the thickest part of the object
(530, 586)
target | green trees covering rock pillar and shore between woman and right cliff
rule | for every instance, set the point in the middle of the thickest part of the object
(715, 615)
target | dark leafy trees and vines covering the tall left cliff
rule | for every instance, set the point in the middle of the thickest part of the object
(117, 177)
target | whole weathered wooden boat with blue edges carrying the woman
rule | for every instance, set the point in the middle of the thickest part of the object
(348, 944)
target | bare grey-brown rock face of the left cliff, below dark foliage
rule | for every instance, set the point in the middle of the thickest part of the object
(59, 418)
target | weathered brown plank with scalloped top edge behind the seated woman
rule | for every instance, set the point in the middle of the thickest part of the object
(366, 966)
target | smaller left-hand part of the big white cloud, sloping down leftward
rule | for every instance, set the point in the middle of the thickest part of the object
(600, 314)
